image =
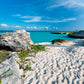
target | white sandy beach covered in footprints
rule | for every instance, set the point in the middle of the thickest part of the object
(58, 65)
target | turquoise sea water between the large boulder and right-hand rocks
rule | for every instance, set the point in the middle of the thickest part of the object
(46, 37)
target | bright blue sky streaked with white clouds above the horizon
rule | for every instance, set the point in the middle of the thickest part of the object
(56, 15)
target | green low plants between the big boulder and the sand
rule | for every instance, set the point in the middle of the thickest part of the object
(28, 53)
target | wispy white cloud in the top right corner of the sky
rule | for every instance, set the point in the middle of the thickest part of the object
(67, 3)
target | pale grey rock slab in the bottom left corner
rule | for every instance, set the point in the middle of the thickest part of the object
(10, 73)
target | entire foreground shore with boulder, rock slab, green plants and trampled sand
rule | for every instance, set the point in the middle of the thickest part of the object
(28, 64)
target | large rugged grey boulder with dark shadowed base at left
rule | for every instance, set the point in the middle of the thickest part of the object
(15, 41)
